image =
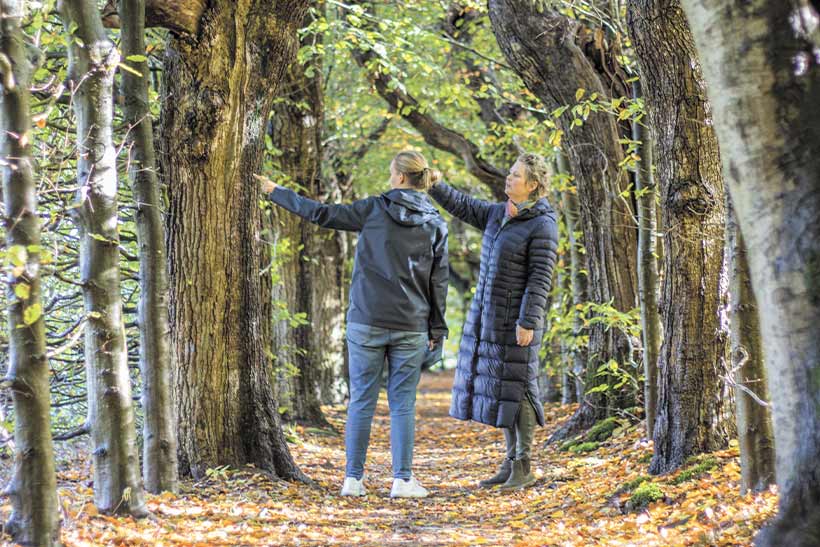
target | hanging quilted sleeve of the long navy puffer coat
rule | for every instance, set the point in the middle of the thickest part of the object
(541, 255)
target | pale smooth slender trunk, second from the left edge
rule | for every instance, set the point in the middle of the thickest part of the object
(93, 59)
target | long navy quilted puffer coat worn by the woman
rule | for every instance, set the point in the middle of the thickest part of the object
(494, 374)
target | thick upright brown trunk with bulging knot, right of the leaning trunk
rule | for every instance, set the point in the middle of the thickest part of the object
(693, 414)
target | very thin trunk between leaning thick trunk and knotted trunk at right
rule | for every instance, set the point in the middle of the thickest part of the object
(646, 192)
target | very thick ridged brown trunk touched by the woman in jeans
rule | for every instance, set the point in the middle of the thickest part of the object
(218, 91)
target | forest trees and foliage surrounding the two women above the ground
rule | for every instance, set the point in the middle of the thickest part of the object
(164, 295)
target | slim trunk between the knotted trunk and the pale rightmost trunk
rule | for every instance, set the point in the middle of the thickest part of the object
(754, 421)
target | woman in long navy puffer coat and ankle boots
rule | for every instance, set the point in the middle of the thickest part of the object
(497, 367)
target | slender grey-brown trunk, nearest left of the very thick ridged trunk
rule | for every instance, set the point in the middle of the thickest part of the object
(159, 455)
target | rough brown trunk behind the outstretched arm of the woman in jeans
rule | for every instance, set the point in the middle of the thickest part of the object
(315, 348)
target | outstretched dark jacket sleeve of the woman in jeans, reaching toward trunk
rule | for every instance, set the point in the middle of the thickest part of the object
(338, 217)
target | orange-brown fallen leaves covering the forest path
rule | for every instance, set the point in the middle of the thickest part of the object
(575, 502)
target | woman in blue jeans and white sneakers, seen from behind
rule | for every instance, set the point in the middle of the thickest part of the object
(397, 301)
